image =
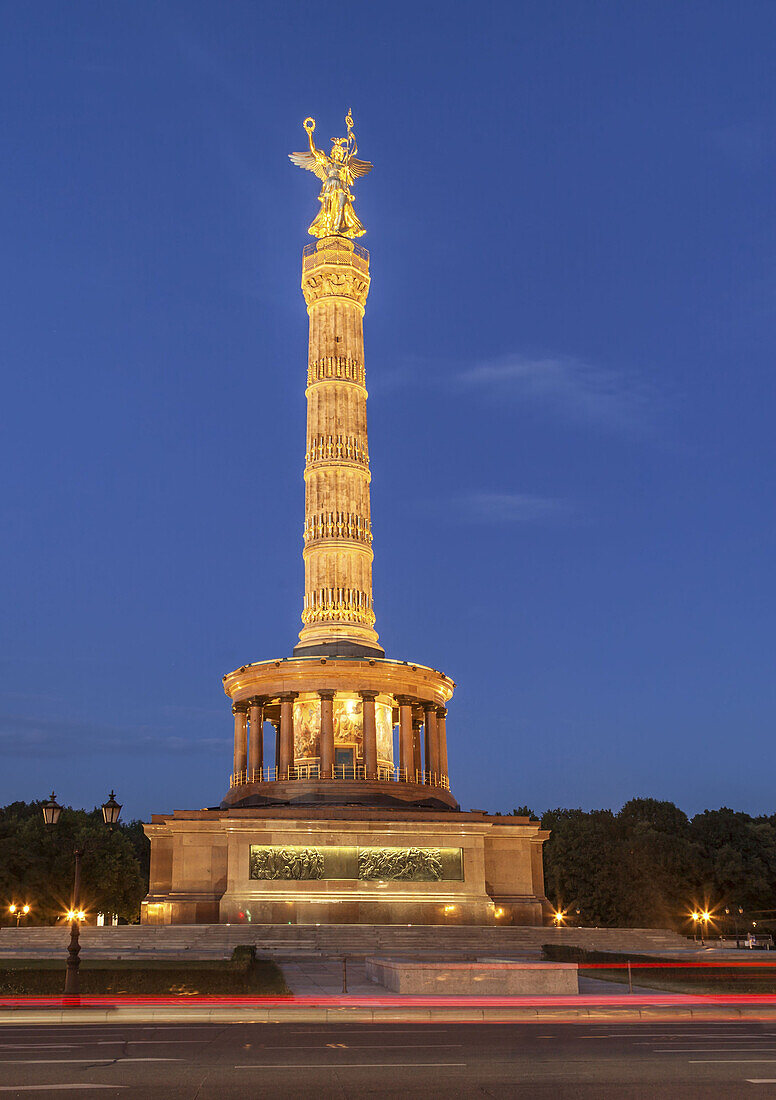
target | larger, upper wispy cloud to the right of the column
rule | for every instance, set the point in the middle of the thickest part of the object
(566, 387)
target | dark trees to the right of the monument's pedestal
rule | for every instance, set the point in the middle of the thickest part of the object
(650, 867)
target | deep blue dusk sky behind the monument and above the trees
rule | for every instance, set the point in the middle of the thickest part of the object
(570, 357)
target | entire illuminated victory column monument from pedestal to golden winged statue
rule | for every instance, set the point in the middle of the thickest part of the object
(333, 829)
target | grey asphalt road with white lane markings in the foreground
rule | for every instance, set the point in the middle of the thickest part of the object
(542, 1061)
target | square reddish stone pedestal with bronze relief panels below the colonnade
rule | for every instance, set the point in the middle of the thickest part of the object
(336, 865)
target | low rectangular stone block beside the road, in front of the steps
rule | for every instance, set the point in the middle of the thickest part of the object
(484, 978)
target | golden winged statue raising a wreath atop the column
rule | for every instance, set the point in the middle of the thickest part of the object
(337, 172)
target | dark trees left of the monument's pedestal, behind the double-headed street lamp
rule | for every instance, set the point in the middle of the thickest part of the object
(37, 864)
